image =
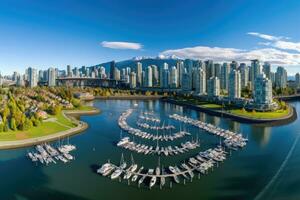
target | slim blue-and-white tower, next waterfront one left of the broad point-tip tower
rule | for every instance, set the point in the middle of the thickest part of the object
(234, 89)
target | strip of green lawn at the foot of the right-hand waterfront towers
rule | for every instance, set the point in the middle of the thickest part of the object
(261, 115)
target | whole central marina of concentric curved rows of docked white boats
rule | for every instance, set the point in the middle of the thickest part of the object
(200, 163)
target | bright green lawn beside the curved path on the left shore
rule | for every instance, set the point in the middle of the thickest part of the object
(46, 128)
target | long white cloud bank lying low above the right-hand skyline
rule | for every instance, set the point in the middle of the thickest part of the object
(219, 54)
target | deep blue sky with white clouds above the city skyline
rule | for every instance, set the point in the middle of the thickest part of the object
(54, 33)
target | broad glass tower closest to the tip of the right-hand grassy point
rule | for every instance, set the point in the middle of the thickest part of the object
(262, 91)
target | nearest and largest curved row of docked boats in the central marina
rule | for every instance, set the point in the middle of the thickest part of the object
(201, 164)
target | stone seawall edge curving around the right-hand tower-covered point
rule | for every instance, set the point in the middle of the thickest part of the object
(272, 121)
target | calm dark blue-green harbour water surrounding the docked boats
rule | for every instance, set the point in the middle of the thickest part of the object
(268, 168)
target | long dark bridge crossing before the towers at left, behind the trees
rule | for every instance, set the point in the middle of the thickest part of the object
(88, 82)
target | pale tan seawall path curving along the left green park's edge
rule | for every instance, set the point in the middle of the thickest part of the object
(81, 126)
